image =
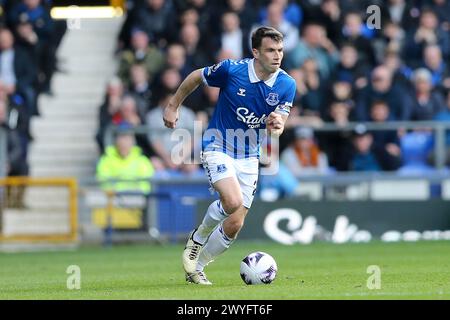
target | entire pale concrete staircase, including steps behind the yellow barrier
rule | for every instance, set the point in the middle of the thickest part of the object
(64, 135)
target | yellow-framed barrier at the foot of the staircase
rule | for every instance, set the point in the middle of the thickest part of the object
(38, 210)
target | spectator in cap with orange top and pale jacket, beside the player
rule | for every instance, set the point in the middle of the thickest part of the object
(303, 156)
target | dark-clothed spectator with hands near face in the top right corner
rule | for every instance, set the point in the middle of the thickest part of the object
(428, 32)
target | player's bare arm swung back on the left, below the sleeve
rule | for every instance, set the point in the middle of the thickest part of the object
(192, 81)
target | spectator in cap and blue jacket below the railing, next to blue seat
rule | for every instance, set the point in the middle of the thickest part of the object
(363, 159)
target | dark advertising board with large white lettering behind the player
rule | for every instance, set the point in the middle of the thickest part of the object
(292, 221)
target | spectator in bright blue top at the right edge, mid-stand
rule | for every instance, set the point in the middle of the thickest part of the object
(440, 73)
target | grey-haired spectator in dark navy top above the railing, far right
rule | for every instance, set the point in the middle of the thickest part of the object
(424, 103)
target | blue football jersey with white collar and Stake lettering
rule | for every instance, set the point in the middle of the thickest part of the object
(238, 124)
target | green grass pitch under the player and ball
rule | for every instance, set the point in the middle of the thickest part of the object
(319, 271)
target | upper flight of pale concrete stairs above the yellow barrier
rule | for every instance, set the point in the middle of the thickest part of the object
(65, 133)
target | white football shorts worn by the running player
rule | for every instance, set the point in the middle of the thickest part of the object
(219, 165)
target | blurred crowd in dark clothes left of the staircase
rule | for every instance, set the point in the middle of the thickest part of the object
(29, 38)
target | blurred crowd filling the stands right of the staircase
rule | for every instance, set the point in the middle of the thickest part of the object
(345, 72)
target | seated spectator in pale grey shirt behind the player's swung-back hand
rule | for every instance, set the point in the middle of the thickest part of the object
(161, 140)
